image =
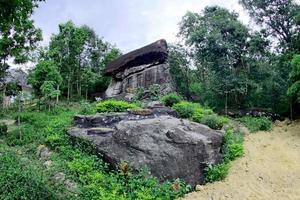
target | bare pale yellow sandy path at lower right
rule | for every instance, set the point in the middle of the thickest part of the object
(270, 169)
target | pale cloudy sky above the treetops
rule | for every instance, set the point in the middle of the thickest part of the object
(129, 24)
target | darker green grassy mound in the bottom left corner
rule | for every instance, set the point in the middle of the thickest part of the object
(20, 181)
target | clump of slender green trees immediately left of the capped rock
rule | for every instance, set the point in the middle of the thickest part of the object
(77, 50)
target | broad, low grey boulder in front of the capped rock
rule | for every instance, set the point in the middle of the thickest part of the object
(169, 147)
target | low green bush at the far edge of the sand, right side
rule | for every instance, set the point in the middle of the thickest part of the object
(255, 124)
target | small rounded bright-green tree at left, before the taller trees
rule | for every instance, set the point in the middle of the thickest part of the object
(44, 76)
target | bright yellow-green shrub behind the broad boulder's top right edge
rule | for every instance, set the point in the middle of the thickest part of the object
(187, 109)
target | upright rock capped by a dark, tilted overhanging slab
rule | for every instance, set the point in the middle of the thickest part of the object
(140, 68)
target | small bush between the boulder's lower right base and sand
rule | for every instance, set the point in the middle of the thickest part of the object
(216, 172)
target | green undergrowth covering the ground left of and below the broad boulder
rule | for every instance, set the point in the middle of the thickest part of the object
(77, 159)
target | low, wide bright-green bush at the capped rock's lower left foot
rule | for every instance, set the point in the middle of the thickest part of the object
(113, 105)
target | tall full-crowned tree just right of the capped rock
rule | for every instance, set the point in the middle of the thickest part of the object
(219, 45)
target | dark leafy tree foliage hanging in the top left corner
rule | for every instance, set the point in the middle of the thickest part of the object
(18, 35)
